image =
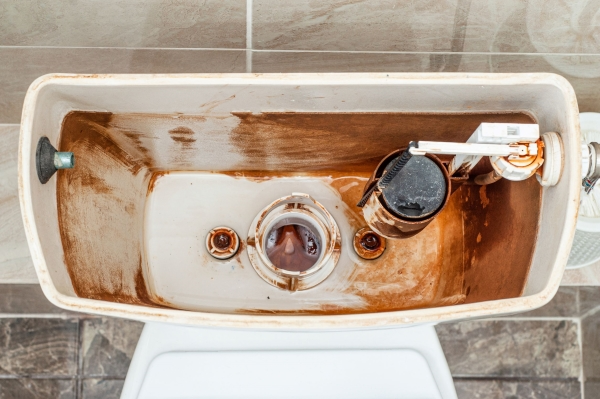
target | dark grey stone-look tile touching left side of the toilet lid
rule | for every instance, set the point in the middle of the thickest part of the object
(108, 345)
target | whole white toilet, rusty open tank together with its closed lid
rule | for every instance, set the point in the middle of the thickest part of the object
(184, 185)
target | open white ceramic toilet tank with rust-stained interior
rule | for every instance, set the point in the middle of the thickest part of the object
(163, 159)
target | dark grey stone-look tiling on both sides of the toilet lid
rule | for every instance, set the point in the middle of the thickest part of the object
(47, 352)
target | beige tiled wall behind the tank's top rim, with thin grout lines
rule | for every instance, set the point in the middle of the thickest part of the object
(174, 36)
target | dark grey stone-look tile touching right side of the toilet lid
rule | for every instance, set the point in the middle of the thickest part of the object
(523, 348)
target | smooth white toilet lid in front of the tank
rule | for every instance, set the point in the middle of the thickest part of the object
(354, 373)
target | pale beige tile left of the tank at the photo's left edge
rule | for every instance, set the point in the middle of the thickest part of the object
(15, 262)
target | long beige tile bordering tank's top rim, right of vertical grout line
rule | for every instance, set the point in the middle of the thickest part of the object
(582, 71)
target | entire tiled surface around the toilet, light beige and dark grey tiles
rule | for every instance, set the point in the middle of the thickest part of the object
(50, 353)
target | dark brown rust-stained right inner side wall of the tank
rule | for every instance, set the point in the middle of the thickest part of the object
(501, 224)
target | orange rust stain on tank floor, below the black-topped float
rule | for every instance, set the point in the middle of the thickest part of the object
(421, 271)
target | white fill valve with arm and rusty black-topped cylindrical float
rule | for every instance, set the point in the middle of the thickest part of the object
(410, 187)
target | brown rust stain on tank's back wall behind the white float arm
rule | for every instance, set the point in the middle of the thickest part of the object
(288, 141)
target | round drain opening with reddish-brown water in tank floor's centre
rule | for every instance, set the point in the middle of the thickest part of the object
(293, 246)
